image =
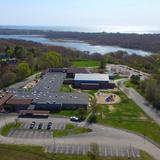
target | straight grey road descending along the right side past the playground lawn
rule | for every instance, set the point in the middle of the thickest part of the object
(140, 101)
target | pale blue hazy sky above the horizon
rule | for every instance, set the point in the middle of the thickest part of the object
(113, 15)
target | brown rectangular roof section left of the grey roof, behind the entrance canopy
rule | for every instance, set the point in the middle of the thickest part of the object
(15, 101)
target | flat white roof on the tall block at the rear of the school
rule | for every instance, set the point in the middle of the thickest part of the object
(91, 77)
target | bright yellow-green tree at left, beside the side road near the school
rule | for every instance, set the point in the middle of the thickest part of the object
(23, 70)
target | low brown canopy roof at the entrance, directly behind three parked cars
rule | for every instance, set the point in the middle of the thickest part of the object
(33, 112)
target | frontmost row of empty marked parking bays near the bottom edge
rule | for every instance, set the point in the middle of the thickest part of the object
(103, 150)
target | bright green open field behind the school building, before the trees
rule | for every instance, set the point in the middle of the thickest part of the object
(85, 63)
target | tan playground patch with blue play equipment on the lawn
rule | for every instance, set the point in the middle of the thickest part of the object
(107, 98)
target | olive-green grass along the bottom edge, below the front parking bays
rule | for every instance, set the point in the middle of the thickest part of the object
(22, 152)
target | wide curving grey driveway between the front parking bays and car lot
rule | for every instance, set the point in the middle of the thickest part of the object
(101, 135)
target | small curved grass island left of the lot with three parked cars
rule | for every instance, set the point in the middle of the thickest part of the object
(7, 128)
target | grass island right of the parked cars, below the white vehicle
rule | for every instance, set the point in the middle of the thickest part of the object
(70, 130)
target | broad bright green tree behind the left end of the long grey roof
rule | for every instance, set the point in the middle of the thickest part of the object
(51, 60)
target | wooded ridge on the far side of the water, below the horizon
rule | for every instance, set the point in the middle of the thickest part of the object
(146, 42)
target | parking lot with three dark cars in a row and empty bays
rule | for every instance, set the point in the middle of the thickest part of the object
(26, 131)
